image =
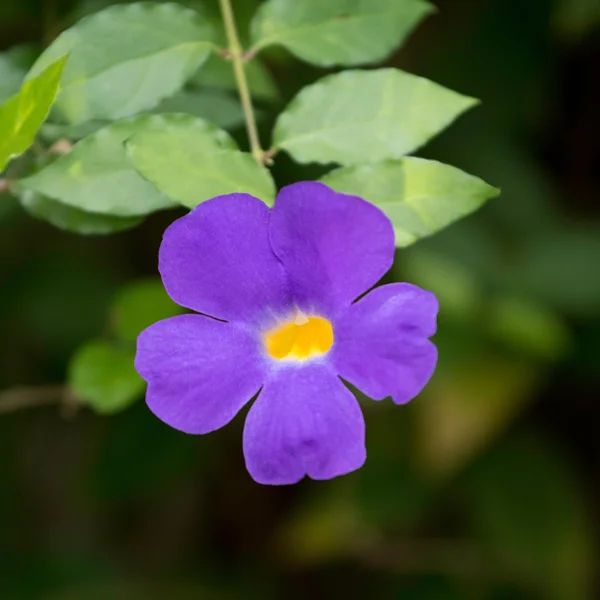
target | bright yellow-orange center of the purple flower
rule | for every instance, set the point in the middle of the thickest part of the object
(300, 339)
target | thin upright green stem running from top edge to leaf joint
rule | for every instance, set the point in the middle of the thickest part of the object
(237, 58)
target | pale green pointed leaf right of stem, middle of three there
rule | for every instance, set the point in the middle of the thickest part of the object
(358, 117)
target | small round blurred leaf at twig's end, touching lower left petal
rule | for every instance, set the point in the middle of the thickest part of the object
(103, 376)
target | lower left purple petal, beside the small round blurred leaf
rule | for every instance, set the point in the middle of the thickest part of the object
(200, 372)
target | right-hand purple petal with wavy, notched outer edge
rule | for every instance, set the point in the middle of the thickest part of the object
(381, 344)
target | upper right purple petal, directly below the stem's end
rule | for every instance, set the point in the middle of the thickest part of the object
(333, 246)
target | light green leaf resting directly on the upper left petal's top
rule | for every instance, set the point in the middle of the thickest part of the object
(190, 166)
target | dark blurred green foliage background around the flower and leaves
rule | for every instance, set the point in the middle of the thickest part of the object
(485, 487)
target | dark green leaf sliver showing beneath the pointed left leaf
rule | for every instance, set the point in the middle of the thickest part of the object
(72, 219)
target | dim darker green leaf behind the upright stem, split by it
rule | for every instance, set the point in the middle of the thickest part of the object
(218, 73)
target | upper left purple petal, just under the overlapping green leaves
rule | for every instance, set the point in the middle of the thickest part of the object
(218, 260)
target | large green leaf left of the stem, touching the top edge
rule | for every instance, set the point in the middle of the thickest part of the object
(127, 58)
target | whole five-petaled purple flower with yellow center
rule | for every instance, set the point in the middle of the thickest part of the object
(280, 287)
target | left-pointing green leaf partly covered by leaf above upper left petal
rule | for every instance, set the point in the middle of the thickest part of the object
(97, 176)
